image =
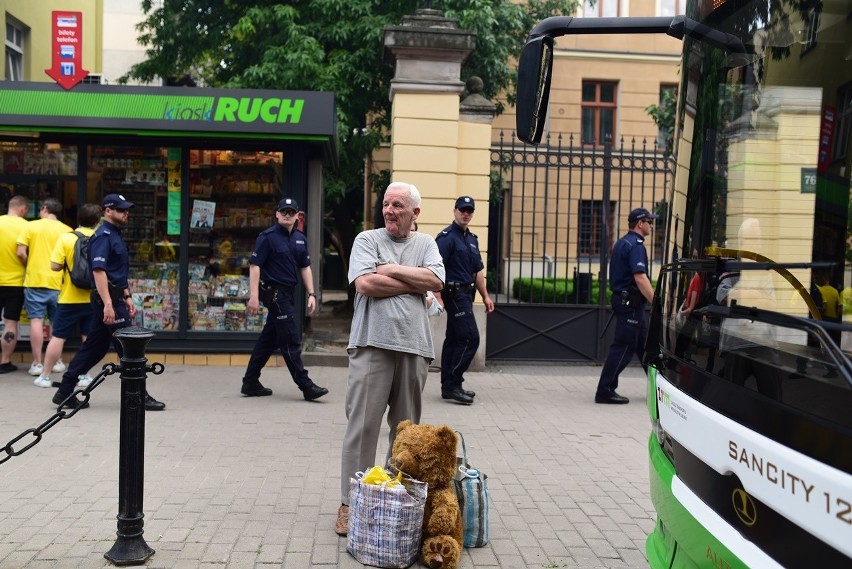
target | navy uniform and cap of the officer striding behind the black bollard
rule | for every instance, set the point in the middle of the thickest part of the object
(107, 251)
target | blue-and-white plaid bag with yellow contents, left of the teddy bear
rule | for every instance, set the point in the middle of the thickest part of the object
(385, 523)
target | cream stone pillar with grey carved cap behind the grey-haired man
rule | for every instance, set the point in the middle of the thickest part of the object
(437, 143)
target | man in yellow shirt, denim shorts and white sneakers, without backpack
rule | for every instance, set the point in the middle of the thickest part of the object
(41, 284)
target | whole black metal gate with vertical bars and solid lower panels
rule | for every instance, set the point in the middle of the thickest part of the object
(555, 211)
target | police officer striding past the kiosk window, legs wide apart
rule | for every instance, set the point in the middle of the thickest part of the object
(279, 259)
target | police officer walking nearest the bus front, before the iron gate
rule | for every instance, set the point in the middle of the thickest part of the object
(631, 289)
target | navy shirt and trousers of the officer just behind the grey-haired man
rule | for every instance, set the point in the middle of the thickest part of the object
(462, 261)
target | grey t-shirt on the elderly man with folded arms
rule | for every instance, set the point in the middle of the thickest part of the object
(399, 323)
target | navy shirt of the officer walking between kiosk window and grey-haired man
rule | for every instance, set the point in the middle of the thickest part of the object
(280, 255)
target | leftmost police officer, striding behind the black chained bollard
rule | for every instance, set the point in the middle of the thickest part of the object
(112, 305)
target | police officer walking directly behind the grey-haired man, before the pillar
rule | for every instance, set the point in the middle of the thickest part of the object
(465, 276)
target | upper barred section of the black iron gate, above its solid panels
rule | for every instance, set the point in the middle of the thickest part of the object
(561, 207)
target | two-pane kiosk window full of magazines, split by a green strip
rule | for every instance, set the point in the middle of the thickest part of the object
(232, 198)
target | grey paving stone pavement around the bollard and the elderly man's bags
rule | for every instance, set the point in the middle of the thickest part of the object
(253, 482)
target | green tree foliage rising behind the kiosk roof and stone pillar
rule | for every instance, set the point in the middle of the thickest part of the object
(327, 45)
